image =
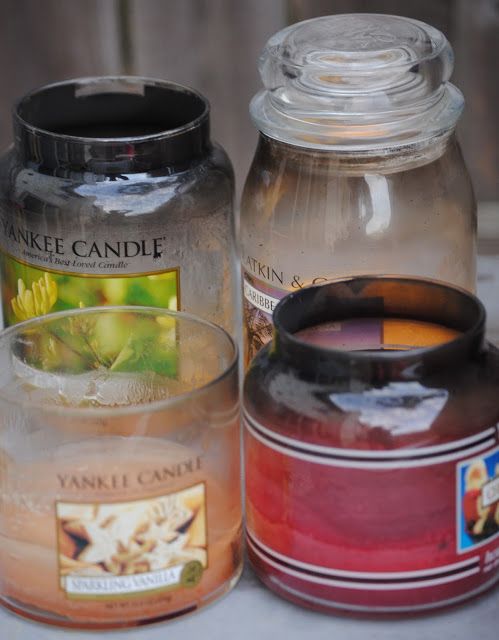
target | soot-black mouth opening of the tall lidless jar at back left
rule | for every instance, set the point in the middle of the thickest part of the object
(112, 108)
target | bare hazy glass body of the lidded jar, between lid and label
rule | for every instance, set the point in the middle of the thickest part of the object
(311, 215)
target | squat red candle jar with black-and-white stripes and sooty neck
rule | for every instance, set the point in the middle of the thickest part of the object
(372, 448)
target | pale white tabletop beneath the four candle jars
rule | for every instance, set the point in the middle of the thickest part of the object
(252, 612)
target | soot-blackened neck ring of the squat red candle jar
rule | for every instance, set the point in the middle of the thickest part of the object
(380, 297)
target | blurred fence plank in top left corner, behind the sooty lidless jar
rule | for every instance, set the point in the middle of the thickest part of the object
(47, 41)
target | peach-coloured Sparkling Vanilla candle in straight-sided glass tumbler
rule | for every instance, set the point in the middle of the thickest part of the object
(120, 495)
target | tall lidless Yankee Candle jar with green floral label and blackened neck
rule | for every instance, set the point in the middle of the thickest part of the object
(113, 194)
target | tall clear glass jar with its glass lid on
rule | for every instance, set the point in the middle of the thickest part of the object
(357, 168)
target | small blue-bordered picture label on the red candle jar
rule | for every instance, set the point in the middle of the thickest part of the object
(478, 501)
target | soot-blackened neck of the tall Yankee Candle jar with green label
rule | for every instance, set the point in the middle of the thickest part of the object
(111, 125)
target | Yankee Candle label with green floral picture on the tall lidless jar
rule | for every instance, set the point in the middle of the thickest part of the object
(46, 267)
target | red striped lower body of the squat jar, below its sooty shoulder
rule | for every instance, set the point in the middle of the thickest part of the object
(369, 491)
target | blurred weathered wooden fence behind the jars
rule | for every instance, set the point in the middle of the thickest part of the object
(213, 45)
